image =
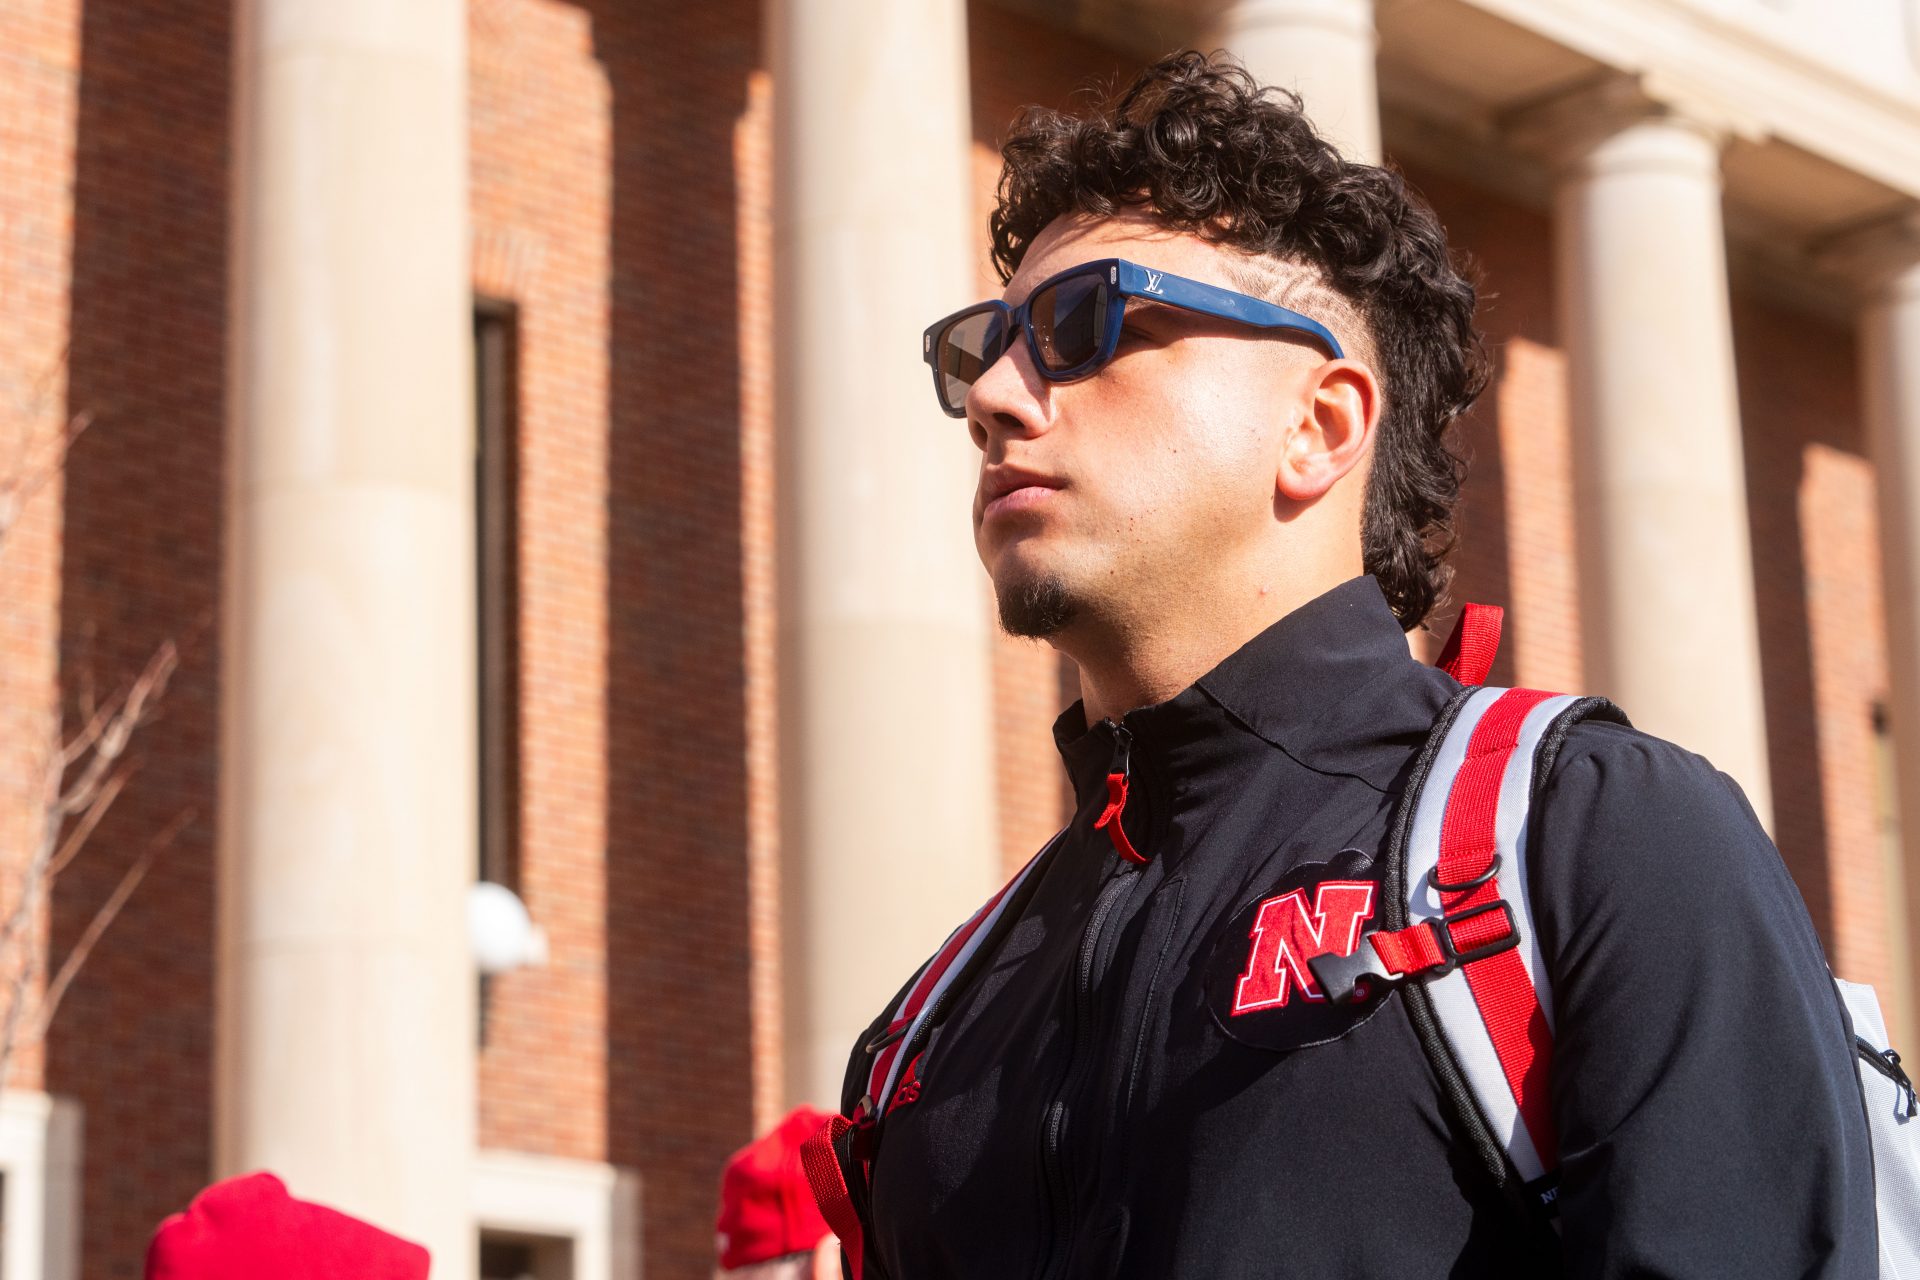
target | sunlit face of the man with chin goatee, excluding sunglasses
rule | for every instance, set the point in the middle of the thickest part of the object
(1130, 488)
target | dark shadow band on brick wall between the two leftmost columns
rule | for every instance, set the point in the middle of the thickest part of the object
(679, 1064)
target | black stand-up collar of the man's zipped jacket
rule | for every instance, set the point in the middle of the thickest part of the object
(1332, 684)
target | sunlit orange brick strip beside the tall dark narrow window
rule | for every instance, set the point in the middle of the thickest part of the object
(540, 135)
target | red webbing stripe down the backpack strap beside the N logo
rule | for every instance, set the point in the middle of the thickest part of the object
(1500, 985)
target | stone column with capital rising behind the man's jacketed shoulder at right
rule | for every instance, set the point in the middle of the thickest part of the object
(1660, 477)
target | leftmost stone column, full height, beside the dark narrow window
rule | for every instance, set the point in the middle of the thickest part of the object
(347, 995)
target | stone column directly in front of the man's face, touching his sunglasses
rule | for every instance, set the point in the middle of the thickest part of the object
(886, 696)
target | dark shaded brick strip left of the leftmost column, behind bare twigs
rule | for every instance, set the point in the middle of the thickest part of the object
(143, 565)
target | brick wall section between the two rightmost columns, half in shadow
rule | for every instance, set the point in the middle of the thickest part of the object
(1823, 657)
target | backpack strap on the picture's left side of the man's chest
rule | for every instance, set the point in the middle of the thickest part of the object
(840, 1158)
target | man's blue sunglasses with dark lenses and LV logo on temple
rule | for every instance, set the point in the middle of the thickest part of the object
(1072, 325)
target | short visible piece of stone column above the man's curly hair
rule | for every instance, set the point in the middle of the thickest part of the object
(1320, 49)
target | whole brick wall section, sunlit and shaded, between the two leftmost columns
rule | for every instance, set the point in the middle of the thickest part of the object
(619, 162)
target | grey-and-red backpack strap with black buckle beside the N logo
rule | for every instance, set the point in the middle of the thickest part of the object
(1460, 928)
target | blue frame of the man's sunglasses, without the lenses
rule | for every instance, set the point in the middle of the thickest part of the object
(1126, 281)
